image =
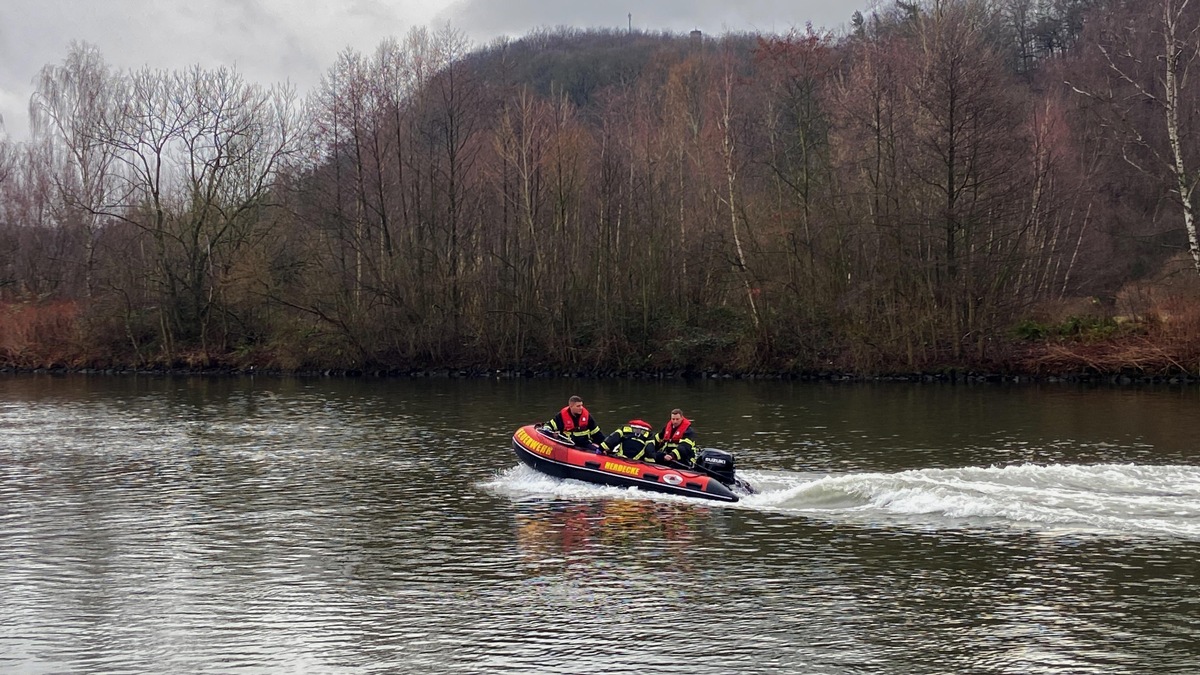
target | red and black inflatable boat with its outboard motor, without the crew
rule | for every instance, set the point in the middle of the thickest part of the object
(550, 453)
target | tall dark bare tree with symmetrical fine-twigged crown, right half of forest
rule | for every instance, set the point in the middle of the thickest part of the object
(967, 129)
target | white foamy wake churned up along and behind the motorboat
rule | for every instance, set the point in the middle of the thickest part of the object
(1108, 499)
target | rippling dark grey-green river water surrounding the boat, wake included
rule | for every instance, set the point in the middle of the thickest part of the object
(292, 525)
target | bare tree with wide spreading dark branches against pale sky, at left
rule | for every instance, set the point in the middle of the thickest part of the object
(201, 152)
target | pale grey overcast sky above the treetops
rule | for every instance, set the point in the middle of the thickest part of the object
(272, 41)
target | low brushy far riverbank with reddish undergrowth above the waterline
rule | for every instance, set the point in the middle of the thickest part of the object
(1069, 343)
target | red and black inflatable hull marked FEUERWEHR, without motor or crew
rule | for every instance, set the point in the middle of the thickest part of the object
(551, 457)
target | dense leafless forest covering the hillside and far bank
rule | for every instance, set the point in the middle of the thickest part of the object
(949, 187)
